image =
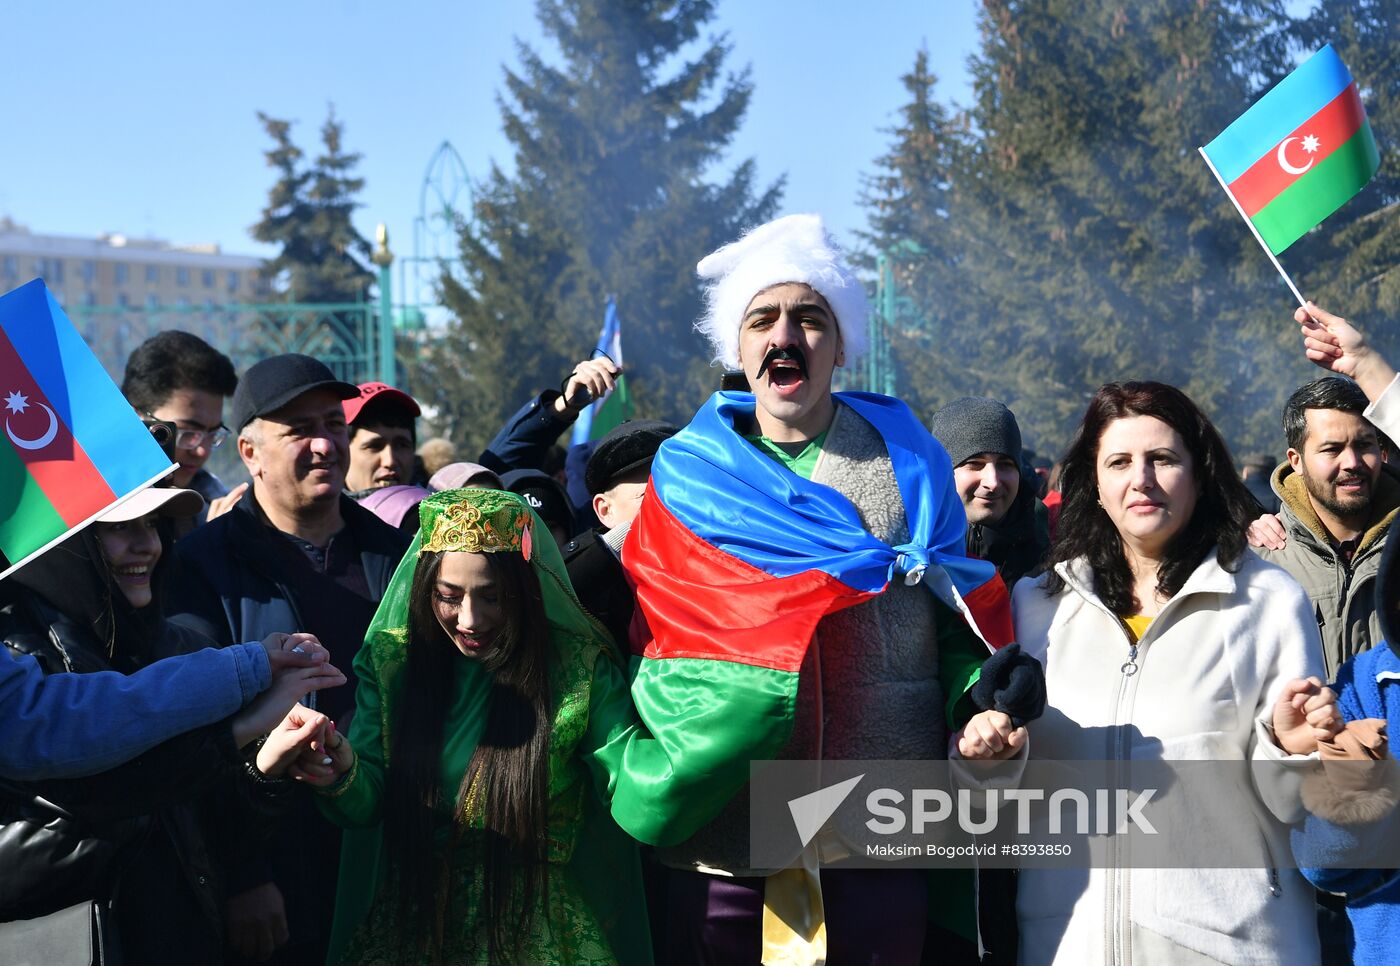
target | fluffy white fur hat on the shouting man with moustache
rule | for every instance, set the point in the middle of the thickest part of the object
(794, 248)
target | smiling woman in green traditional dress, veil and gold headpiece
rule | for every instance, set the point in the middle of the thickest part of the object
(486, 699)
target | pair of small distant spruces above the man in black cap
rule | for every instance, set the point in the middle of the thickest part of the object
(321, 258)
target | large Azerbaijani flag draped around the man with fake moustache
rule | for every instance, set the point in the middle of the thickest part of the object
(736, 561)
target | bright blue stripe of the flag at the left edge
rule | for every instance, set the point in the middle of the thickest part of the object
(80, 390)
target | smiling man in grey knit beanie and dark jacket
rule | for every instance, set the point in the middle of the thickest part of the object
(1006, 523)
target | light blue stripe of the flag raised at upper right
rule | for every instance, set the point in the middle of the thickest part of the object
(1276, 115)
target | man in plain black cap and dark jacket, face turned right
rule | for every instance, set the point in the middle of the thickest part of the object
(296, 555)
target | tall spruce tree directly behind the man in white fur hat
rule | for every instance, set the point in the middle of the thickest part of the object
(611, 194)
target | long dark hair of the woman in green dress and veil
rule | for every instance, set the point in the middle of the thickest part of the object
(510, 766)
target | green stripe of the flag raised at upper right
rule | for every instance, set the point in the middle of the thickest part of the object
(1329, 185)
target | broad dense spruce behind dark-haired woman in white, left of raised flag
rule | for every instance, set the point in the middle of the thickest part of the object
(1093, 243)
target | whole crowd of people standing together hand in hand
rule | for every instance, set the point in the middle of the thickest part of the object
(381, 705)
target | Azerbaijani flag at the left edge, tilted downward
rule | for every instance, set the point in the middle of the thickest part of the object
(72, 444)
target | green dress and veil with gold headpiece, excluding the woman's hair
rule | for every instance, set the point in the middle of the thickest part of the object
(593, 908)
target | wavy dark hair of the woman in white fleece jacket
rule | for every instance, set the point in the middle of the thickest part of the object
(1223, 512)
